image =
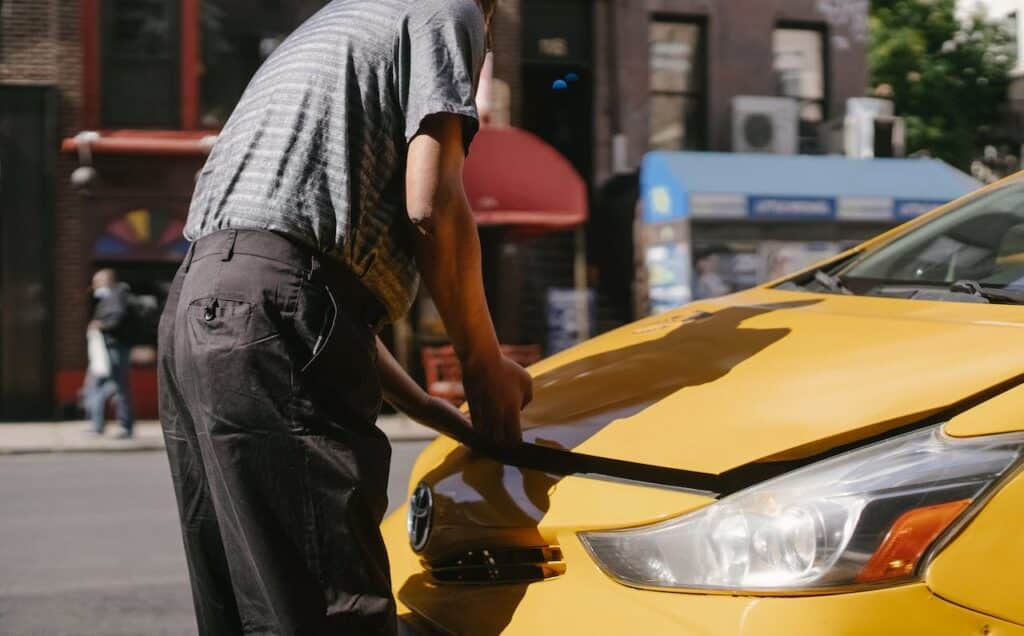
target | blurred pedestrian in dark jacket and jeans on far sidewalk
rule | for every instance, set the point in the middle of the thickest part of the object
(111, 321)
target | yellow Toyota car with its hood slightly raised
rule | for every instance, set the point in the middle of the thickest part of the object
(835, 453)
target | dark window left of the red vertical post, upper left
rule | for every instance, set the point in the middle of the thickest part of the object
(141, 63)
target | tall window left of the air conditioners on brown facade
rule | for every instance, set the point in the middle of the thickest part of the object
(677, 69)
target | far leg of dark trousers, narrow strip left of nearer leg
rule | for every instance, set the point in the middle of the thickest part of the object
(214, 597)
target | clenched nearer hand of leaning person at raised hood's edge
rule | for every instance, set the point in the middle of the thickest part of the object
(497, 393)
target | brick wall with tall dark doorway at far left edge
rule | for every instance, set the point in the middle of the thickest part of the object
(42, 276)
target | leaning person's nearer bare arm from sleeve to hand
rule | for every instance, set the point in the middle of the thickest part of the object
(448, 253)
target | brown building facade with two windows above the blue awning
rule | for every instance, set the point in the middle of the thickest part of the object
(663, 74)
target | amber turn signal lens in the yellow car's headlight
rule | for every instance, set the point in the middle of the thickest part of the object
(911, 535)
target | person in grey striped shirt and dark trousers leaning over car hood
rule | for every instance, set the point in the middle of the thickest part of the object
(336, 183)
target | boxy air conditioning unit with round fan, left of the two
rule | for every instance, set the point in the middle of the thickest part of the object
(769, 125)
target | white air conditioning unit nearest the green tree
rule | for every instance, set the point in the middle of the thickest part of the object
(871, 130)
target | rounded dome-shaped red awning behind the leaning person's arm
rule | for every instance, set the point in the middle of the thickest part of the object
(515, 178)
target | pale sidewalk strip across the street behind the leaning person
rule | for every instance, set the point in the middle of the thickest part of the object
(25, 439)
